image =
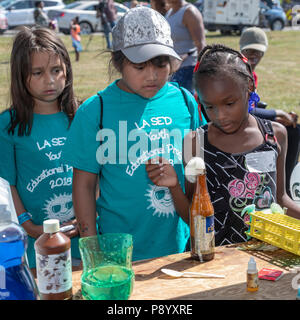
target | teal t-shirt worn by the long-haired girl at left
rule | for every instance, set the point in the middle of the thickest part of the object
(34, 165)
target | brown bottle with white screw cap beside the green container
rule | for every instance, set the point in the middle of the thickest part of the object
(53, 263)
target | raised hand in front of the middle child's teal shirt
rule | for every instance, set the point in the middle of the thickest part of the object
(161, 172)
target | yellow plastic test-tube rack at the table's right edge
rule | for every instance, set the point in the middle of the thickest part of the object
(277, 229)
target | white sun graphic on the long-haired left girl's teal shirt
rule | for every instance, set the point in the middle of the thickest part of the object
(59, 207)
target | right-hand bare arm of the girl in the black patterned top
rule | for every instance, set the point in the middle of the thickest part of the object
(282, 198)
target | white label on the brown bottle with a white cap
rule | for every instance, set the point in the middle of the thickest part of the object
(54, 272)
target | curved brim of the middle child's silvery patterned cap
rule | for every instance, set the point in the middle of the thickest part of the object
(145, 52)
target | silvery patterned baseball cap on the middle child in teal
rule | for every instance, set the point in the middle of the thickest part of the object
(142, 34)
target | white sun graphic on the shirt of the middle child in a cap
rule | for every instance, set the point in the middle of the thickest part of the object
(160, 200)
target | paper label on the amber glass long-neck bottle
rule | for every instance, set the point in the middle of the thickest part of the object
(204, 234)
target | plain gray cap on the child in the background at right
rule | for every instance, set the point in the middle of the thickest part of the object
(254, 38)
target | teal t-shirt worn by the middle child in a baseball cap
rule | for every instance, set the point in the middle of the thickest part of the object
(135, 130)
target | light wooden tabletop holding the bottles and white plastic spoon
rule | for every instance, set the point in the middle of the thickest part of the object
(152, 284)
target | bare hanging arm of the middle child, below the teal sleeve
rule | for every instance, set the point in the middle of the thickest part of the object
(84, 201)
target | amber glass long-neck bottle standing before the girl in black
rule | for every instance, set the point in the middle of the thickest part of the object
(202, 222)
